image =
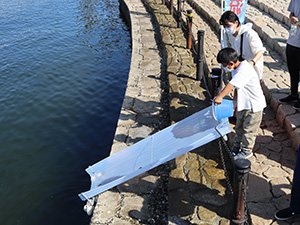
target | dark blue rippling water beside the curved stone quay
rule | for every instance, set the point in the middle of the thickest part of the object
(63, 73)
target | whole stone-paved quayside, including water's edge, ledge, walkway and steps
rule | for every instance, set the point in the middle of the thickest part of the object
(197, 193)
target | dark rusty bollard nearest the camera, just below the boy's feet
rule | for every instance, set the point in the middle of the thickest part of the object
(241, 176)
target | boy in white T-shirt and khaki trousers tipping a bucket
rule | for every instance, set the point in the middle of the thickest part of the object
(248, 97)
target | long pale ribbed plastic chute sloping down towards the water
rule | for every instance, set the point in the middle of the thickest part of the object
(186, 135)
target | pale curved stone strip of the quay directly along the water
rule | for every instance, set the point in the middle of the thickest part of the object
(142, 114)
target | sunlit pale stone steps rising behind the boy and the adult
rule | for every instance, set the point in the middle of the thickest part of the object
(270, 21)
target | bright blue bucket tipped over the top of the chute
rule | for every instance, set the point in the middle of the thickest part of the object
(223, 110)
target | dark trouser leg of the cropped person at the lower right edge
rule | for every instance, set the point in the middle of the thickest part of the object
(295, 196)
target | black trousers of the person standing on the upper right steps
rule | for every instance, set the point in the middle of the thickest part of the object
(293, 63)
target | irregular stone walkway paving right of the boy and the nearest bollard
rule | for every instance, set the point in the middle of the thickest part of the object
(271, 172)
